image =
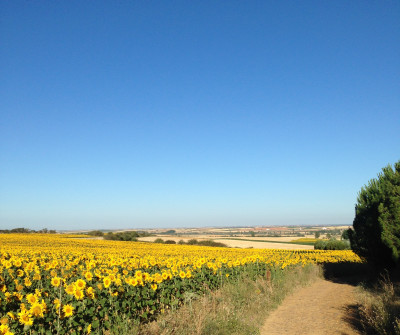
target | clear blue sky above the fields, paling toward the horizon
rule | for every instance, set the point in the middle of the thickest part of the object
(127, 114)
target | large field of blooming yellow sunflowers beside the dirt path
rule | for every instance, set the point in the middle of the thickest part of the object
(61, 284)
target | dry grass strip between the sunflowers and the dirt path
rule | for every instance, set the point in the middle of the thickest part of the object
(237, 308)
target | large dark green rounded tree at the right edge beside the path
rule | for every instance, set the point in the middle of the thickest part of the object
(376, 233)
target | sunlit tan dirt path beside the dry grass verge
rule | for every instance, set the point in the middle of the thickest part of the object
(324, 308)
